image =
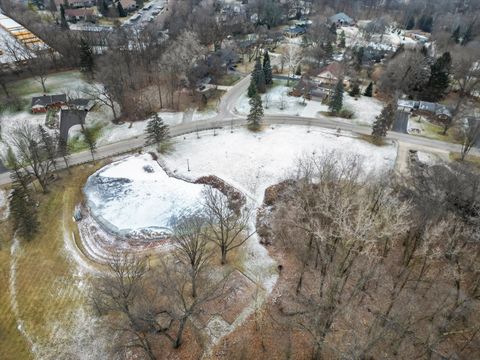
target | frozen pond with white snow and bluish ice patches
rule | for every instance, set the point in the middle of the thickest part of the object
(135, 195)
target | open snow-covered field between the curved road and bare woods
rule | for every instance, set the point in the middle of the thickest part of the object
(253, 161)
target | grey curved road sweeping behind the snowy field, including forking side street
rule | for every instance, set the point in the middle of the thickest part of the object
(227, 116)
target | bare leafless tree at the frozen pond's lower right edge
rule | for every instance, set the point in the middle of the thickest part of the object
(228, 227)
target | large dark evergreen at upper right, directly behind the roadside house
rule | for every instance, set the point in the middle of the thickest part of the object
(439, 80)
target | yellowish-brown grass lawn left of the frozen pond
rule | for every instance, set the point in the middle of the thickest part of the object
(46, 283)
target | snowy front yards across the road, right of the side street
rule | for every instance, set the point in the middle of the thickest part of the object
(365, 108)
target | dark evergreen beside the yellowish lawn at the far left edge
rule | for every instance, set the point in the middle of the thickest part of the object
(23, 211)
